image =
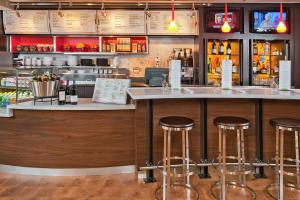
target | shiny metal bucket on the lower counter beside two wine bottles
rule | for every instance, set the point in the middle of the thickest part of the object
(44, 89)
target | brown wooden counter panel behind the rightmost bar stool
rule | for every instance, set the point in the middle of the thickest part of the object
(275, 109)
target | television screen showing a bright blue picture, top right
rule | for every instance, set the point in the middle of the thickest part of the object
(266, 21)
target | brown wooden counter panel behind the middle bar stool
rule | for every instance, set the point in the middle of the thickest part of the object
(230, 107)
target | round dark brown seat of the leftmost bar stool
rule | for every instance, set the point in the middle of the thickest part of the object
(176, 122)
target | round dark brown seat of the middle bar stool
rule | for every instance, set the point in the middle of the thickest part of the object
(231, 122)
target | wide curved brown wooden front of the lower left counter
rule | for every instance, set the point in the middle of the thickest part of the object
(68, 139)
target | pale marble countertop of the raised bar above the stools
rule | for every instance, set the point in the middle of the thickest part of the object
(240, 92)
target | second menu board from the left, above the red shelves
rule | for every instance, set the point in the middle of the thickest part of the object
(73, 22)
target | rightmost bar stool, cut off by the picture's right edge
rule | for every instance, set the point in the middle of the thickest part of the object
(282, 126)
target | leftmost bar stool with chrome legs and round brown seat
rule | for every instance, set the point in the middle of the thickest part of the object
(170, 125)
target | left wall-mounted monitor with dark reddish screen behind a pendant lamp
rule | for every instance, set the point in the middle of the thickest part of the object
(215, 18)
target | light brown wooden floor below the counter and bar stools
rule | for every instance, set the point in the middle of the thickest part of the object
(107, 187)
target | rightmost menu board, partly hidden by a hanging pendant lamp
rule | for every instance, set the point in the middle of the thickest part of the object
(186, 20)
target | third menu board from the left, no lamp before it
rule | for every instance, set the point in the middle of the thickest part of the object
(121, 22)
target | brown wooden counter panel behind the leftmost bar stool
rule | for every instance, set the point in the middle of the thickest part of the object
(187, 108)
